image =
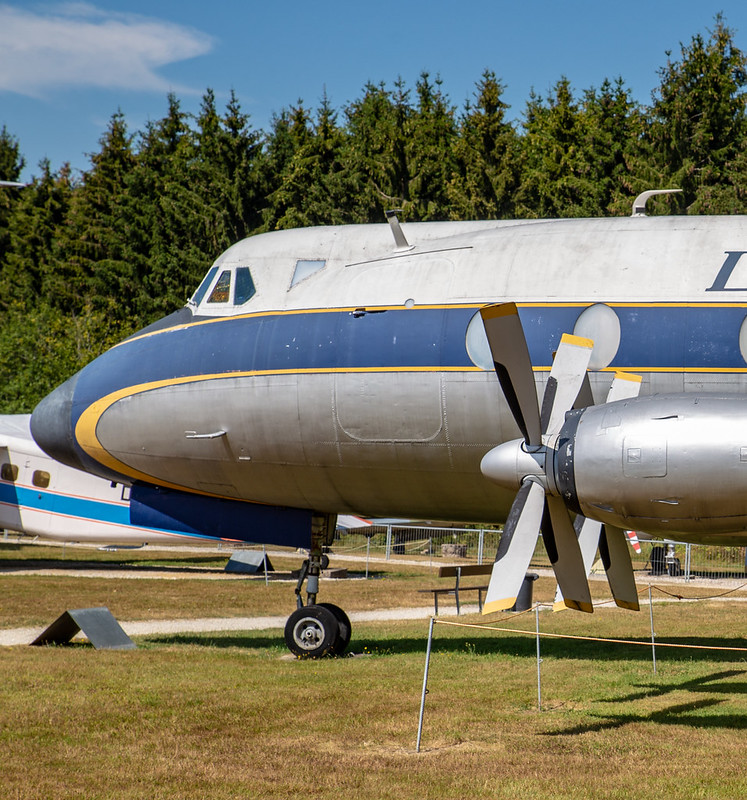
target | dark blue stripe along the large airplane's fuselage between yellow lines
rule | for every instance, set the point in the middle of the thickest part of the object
(653, 337)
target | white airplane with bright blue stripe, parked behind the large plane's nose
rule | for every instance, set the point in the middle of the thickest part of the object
(41, 497)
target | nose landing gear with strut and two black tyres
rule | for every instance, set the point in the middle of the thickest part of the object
(317, 629)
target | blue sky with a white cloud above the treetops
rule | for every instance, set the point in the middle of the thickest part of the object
(66, 67)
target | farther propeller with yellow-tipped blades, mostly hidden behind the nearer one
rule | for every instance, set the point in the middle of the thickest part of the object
(593, 534)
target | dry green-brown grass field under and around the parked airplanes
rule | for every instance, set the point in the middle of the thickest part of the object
(231, 716)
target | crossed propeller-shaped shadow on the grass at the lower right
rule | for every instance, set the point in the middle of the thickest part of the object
(677, 714)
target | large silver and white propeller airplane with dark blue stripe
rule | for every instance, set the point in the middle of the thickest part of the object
(352, 369)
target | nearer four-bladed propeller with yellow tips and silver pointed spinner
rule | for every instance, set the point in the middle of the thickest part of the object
(522, 464)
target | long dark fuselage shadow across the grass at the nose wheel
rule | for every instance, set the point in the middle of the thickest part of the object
(501, 645)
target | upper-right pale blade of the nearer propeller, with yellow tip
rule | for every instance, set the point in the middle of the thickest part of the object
(565, 381)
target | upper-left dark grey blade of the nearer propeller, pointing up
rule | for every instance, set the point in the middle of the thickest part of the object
(513, 367)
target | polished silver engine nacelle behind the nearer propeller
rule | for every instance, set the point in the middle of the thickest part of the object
(666, 465)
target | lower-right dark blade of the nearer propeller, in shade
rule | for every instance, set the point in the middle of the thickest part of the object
(565, 555)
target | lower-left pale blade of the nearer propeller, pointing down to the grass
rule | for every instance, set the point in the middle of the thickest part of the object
(516, 548)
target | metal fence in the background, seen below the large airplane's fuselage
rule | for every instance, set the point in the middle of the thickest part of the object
(431, 546)
